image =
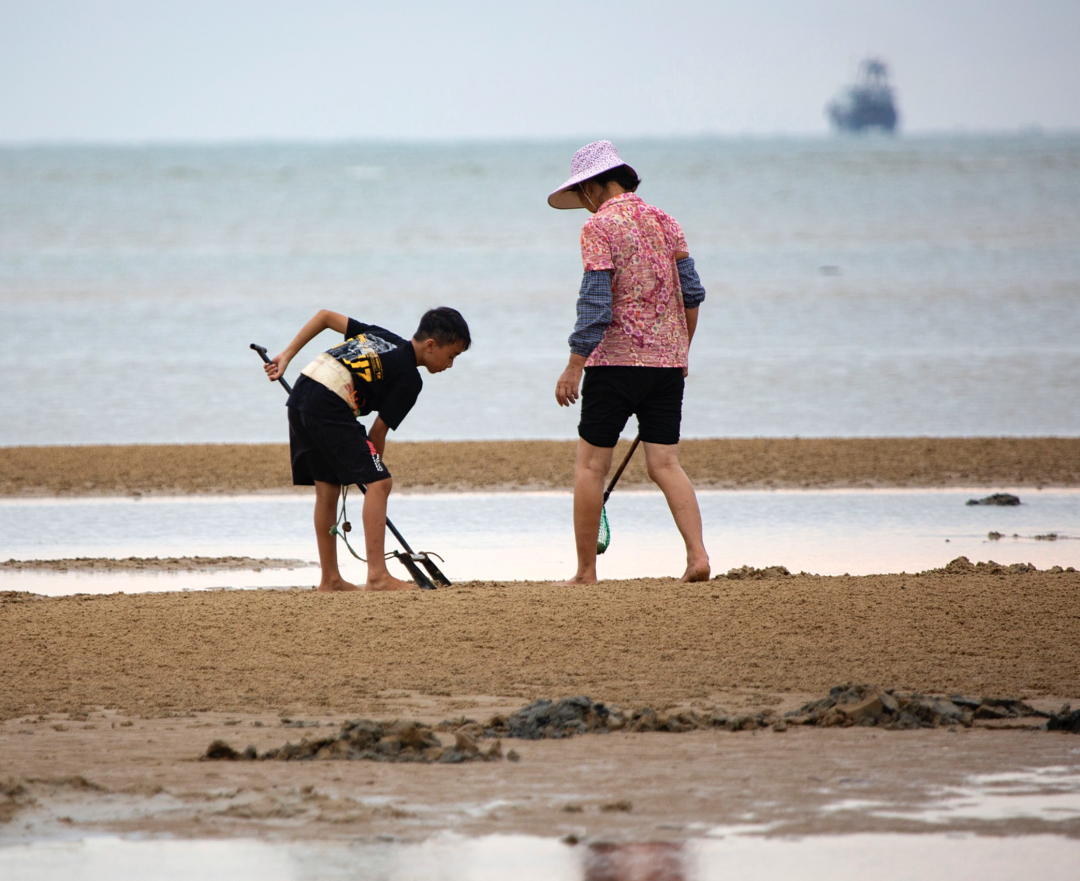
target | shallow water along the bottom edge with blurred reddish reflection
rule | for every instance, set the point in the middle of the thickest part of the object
(890, 858)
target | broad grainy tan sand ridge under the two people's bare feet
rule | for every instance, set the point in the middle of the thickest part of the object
(644, 643)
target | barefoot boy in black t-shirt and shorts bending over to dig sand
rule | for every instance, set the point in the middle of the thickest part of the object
(374, 371)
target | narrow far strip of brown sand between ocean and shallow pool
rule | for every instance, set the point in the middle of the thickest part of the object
(744, 464)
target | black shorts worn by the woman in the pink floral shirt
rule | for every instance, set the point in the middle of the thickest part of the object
(610, 396)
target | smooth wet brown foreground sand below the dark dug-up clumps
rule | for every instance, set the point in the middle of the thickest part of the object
(111, 774)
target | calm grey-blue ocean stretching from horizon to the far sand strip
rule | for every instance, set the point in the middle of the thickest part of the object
(865, 288)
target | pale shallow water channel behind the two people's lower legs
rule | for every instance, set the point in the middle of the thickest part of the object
(528, 536)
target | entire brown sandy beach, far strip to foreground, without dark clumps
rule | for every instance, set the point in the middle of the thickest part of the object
(113, 700)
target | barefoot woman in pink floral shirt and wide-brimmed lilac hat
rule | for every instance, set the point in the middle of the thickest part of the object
(638, 311)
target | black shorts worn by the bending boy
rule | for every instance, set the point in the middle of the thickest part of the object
(332, 451)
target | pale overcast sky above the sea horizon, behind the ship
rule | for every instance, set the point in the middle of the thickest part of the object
(333, 70)
